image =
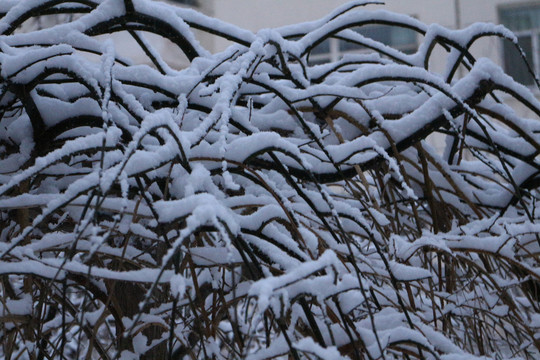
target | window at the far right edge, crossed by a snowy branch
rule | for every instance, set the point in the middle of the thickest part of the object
(525, 23)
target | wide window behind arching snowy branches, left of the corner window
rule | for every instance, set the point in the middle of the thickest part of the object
(397, 37)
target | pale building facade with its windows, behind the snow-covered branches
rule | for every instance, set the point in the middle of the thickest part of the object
(522, 17)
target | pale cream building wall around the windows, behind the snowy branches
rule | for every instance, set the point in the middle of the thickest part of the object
(258, 14)
